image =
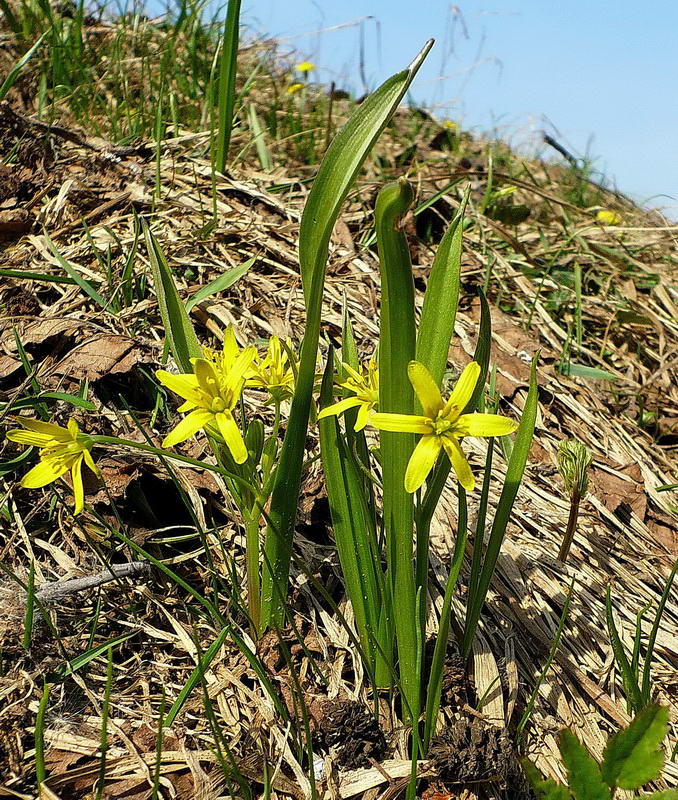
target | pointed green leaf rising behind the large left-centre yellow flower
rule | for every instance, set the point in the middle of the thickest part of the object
(183, 341)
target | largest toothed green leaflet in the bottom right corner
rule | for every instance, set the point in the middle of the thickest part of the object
(633, 757)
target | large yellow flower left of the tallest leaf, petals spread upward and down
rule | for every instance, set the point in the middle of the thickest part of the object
(211, 393)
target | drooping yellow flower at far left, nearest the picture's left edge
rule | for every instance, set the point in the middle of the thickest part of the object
(61, 450)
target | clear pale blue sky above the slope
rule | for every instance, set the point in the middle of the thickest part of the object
(599, 76)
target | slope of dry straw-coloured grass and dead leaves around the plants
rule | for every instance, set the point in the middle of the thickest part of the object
(148, 87)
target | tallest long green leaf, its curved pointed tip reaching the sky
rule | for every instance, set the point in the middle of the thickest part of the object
(338, 170)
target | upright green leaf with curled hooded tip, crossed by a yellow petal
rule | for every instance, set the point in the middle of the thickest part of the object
(397, 347)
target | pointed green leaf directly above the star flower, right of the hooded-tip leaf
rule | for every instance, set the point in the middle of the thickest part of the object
(439, 311)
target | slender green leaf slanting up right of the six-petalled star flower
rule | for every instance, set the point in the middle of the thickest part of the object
(514, 474)
